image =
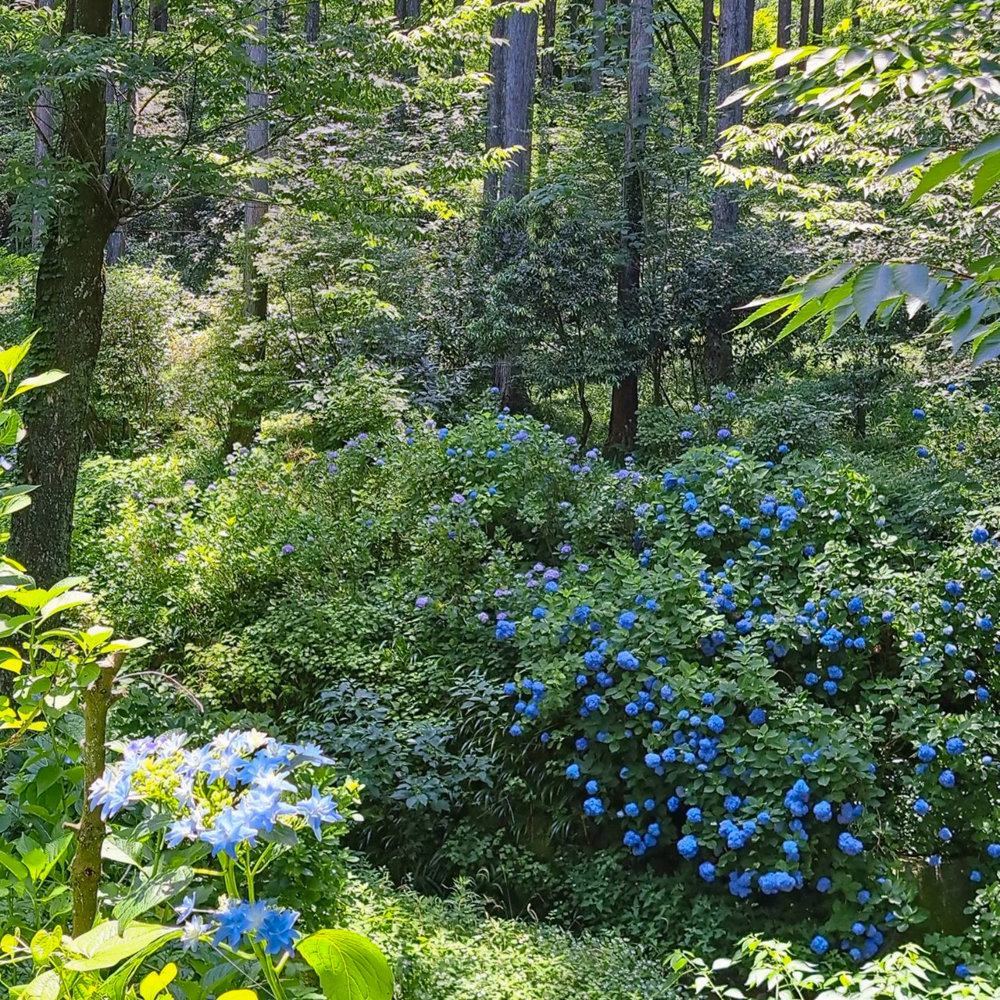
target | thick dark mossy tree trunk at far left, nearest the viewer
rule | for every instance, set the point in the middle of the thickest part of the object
(69, 305)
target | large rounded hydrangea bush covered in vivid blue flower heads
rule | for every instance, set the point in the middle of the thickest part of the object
(772, 691)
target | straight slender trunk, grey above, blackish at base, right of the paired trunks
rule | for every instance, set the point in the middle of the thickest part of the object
(625, 394)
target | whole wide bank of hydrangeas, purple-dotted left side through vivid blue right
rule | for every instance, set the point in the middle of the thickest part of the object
(396, 575)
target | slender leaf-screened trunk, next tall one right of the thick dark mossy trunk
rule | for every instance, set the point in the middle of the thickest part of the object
(245, 412)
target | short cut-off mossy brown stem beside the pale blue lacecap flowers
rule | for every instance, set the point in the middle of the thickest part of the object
(85, 868)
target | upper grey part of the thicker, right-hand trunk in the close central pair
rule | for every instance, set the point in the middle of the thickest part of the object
(518, 102)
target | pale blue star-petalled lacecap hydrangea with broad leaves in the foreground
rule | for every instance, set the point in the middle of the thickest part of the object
(218, 813)
